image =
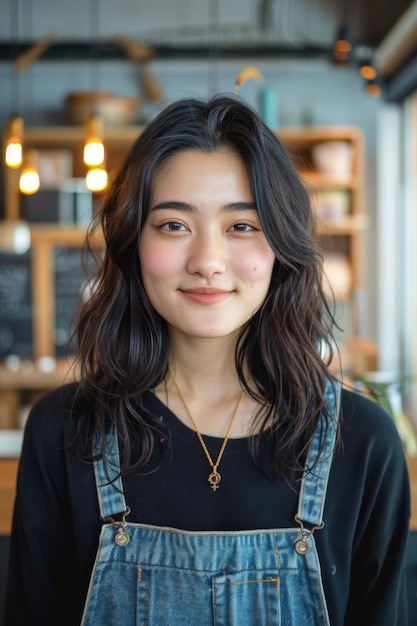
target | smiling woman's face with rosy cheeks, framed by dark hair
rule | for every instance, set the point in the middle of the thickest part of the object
(206, 265)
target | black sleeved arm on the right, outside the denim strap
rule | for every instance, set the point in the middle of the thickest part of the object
(367, 514)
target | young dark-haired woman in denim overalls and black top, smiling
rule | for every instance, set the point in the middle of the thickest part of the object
(207, 468)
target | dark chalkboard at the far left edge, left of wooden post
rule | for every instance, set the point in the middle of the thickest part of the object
(16, 311)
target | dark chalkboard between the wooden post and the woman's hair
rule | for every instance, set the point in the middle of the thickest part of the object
(69, 284)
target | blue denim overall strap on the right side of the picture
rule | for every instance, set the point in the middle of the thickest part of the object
(314, 483)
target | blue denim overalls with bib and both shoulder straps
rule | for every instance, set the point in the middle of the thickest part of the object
(156, 576)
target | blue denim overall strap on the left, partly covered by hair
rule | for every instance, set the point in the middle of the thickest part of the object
(108, 481)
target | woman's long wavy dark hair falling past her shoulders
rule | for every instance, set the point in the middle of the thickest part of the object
(123, 341)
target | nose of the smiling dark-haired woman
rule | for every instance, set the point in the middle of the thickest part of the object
(207, 255)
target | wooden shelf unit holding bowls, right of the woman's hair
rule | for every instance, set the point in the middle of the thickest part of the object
(331, 163)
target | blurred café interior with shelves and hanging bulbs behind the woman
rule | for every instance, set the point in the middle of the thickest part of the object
(335, 79)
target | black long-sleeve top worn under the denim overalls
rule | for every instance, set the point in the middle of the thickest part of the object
(57, 522)
